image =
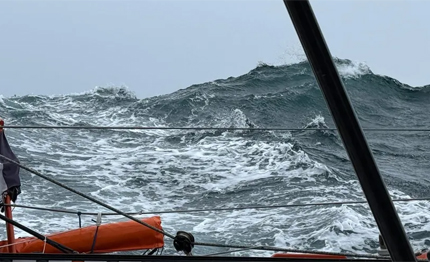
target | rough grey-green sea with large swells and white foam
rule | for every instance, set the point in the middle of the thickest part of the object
(155, 170)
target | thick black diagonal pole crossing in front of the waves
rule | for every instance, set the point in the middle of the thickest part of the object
(350, 131)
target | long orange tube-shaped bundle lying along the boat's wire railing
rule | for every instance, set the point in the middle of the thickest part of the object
(112, 237)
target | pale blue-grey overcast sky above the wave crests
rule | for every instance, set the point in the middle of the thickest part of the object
(157, 47)
